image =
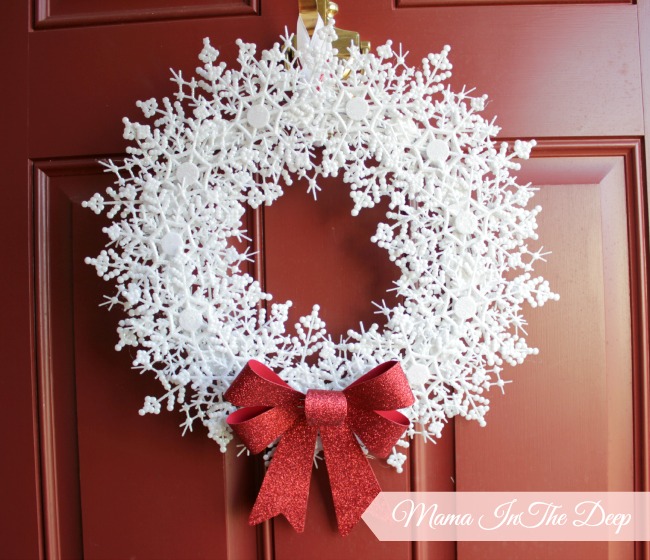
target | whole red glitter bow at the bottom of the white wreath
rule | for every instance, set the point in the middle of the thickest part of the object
(273, 410)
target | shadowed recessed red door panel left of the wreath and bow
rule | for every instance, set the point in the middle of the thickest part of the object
(134, 495)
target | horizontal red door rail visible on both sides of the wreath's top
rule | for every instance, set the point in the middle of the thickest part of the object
(549, 71)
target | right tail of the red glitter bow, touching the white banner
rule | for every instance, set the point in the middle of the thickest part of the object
(353, 482)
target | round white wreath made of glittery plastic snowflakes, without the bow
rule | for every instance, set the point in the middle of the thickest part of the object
(456, 228)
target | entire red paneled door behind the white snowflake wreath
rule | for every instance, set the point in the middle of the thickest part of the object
(83, 476)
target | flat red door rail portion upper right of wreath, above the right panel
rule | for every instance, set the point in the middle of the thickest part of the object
(548, 70)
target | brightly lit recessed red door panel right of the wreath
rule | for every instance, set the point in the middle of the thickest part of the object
(574, 401)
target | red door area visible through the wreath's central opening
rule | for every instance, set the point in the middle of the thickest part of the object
(317, 253)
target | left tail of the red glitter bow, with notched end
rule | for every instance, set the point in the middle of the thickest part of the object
(285, 488)
